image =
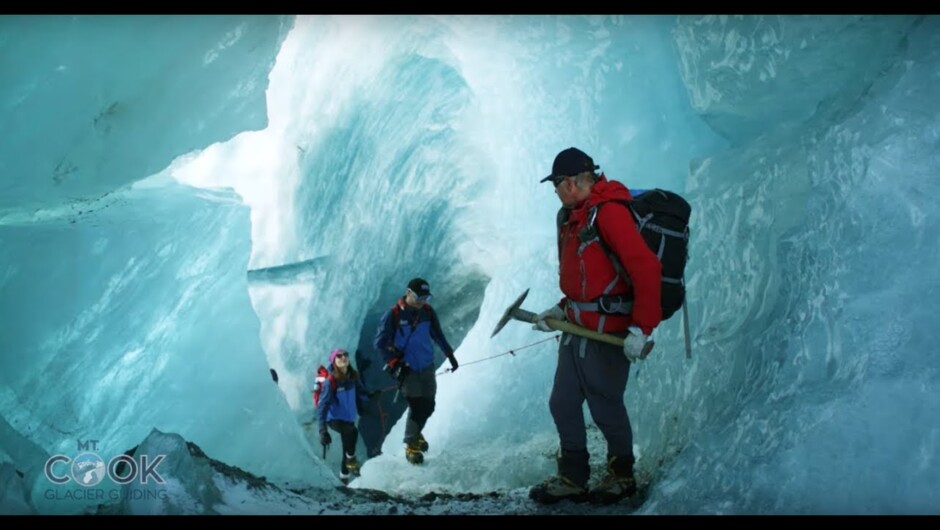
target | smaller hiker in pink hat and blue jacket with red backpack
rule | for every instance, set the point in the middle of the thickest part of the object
(341, 395)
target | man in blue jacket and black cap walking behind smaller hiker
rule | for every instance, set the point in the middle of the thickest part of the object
(404, 339)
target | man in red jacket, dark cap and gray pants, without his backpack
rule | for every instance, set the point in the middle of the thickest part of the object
(597, 298)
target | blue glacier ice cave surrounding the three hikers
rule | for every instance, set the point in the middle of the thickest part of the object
(189, 202)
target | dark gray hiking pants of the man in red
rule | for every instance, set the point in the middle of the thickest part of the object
(596, 372)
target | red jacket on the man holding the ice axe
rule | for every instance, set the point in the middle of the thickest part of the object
(586, 272)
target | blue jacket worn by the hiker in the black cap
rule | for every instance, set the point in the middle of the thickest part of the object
(416, 329)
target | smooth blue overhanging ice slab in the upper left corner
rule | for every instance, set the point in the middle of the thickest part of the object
(109, 85)
